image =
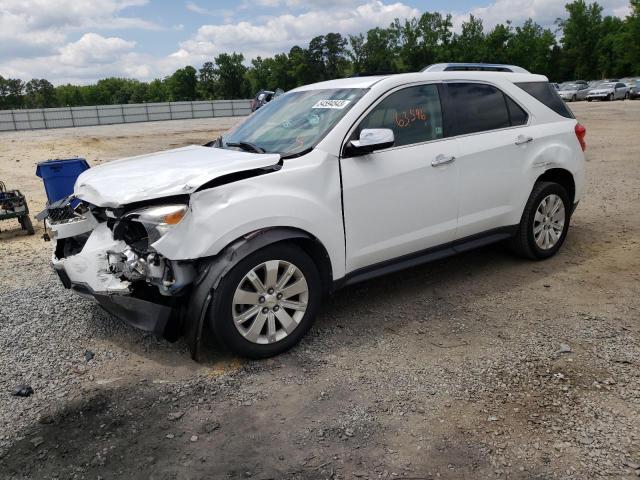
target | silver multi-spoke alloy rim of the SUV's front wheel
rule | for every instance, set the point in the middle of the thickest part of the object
(270, 302)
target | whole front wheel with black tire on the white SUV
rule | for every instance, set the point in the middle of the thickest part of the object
(267, 302)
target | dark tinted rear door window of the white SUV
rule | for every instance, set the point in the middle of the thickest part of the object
(479, 107)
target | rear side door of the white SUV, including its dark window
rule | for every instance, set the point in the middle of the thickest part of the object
(493, 144)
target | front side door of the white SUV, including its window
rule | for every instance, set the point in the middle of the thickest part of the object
(402, 199)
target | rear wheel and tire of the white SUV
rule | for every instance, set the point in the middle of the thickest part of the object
(545, 222)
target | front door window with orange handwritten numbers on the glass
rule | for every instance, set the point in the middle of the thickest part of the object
(413, 113)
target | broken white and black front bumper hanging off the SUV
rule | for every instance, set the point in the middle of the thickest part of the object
(88, 274)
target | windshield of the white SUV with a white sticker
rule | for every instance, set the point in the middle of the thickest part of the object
(295, 121)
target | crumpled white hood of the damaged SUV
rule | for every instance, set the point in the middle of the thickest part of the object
(162, 174)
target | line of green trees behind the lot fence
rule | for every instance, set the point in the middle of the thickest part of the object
(591, 46)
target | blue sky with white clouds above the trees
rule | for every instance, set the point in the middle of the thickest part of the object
(81, 41)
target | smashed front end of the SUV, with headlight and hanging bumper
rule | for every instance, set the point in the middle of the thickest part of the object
(108, 254)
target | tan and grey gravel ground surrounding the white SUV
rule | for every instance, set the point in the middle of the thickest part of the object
(478, 366)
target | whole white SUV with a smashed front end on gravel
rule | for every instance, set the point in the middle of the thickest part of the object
(328, 185)
